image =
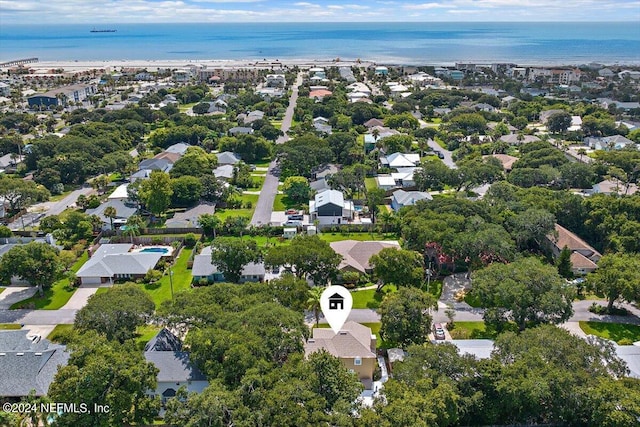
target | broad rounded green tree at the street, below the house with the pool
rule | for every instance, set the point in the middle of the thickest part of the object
(116, 313)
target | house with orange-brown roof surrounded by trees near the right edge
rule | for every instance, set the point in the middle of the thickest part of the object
(584, 258)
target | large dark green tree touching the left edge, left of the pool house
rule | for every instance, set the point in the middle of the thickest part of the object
(37, 263)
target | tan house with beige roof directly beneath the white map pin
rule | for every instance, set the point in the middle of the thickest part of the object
(354, 345)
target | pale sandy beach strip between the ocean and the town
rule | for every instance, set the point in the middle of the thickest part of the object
(155, 64)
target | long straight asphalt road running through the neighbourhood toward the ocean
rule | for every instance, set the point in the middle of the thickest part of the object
(264, 206)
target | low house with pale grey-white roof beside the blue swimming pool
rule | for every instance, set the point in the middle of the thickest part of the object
(115, 261)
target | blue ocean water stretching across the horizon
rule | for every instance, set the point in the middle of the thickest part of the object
(409, 43)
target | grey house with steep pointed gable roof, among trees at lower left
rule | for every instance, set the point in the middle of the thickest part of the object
(175, 368)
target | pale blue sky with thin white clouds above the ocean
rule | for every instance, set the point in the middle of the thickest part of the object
(158, 11)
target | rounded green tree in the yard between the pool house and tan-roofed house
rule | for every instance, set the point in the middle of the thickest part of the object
(232, 254)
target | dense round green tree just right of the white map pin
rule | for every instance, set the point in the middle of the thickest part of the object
(406, 317)
